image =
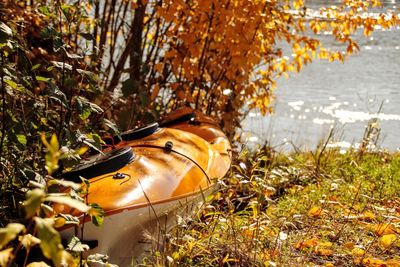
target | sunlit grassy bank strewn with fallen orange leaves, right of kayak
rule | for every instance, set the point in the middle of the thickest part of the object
(304, 209)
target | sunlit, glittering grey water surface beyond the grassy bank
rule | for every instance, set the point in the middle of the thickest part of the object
(345, 97)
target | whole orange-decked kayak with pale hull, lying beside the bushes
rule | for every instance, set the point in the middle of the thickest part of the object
(145, 178)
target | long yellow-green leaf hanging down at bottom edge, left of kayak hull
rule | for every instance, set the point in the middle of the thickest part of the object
(50, 240)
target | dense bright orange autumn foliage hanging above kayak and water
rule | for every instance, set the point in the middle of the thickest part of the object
(211, 46)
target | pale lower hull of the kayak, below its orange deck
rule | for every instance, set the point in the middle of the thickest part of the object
(125, 237)
